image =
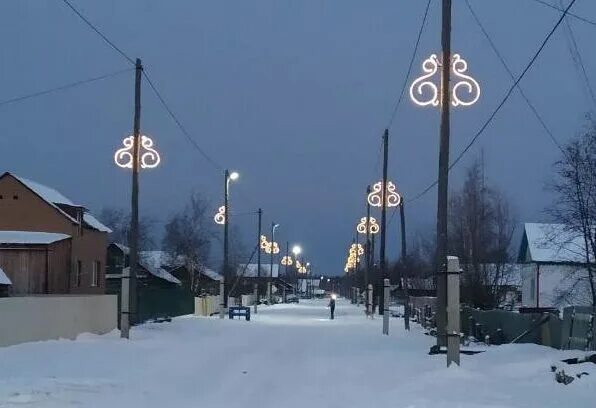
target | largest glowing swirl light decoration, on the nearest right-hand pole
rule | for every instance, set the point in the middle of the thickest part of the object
(424, 92)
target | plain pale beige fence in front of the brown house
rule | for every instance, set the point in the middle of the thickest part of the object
(36, 318)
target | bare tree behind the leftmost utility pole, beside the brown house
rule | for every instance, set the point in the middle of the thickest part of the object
(119, 222)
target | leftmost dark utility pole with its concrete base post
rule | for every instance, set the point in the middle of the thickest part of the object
(128, 308)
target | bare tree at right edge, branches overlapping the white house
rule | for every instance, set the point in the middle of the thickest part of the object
(575, 205)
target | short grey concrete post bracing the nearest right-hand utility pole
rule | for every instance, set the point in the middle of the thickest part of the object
(453, 314)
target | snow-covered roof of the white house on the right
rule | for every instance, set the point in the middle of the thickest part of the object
(552, 243)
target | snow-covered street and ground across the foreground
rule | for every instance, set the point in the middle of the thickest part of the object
(287, 356)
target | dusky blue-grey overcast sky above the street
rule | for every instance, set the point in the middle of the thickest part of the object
(292, 94)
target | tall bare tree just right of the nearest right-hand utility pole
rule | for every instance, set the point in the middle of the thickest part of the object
(480, 232)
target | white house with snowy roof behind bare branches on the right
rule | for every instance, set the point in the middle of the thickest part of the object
(553, 259)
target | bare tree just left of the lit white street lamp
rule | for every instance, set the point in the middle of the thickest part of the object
(187, 237)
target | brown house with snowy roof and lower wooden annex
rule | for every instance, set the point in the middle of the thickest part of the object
(48, 244)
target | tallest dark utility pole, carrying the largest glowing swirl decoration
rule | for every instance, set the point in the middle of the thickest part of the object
(442, 196)
